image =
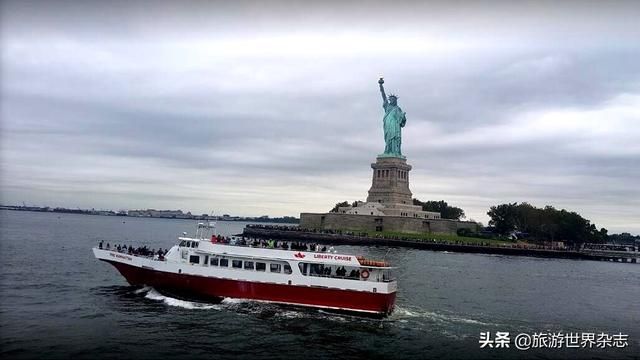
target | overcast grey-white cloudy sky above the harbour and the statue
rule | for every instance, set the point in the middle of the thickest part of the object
(259, 107)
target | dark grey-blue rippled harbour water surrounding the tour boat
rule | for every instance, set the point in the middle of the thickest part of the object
(57, 301)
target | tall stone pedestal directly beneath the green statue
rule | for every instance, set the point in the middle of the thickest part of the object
(390, 183)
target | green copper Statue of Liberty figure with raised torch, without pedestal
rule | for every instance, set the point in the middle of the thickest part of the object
(394, 120)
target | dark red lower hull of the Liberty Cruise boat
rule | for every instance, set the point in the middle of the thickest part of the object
(358, 301)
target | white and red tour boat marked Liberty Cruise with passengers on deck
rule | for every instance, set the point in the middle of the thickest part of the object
(203, 267)
